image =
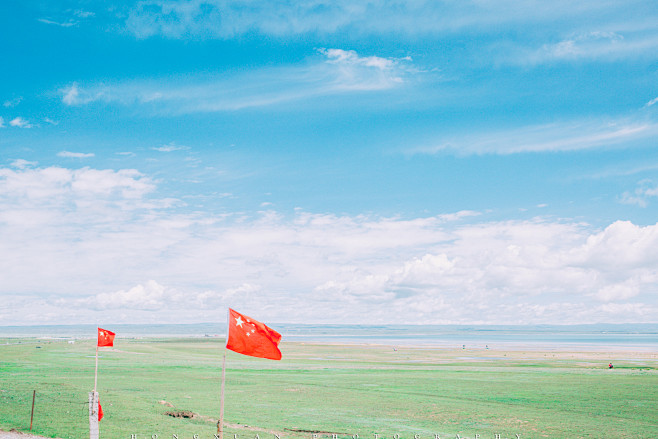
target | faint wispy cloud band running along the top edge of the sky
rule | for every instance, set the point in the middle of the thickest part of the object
(230, 18)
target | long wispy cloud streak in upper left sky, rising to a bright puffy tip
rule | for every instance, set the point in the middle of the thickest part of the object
(337, 71)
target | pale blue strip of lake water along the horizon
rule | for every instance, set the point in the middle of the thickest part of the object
(601, 336)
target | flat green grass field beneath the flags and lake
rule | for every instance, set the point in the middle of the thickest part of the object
(330, 389)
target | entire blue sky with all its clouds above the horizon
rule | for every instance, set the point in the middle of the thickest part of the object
(312, 161)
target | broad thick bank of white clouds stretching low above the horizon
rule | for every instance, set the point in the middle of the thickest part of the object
(82, 227)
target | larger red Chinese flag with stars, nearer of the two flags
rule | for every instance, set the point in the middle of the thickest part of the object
(250, 337)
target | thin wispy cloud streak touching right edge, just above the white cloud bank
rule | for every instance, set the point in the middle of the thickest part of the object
(567, 136)
